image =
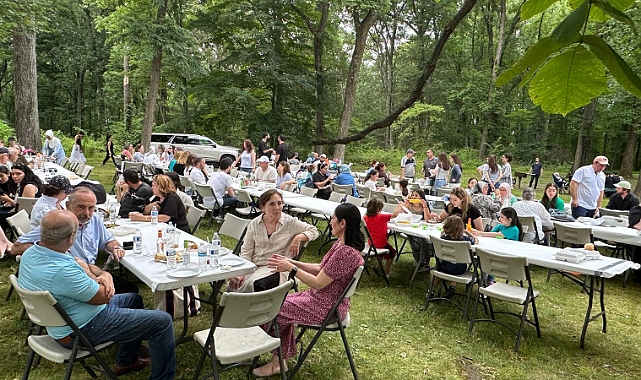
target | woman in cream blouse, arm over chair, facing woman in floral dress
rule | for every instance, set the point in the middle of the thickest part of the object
(272, 232)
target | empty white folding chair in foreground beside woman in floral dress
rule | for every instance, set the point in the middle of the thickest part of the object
(236, 334)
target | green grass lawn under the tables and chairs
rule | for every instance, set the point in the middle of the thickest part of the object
(392, 338)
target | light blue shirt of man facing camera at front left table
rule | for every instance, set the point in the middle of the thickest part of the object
(89, 239)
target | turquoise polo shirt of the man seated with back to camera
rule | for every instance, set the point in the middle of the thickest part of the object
(58, 273)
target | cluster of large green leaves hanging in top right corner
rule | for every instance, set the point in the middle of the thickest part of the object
(573, 75)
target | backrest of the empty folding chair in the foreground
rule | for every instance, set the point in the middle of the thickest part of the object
(242, 310)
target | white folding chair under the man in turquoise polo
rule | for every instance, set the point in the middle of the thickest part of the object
(45, 311)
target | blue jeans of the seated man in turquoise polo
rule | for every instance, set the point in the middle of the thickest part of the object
(125, 321)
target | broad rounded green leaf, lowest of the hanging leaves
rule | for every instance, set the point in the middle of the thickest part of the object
(568, 81)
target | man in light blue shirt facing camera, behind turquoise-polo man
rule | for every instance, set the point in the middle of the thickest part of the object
(92, 235)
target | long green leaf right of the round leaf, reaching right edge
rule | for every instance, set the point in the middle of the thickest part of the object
(619, 69)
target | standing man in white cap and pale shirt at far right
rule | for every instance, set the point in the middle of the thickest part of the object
(586, 188)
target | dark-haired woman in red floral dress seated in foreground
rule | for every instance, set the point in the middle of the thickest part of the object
(327, 282)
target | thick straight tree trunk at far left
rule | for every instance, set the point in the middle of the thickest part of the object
(25, 88)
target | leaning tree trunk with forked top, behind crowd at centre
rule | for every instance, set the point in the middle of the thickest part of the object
(361, 31)
